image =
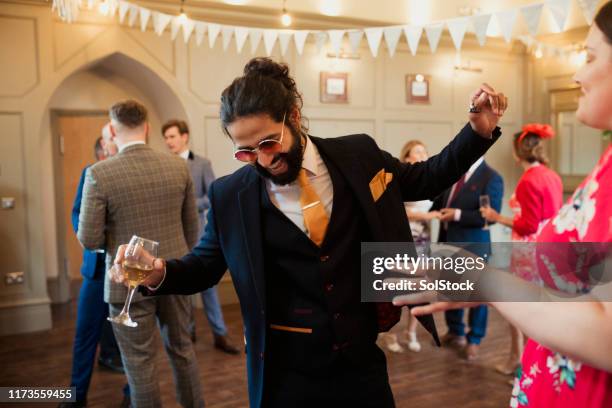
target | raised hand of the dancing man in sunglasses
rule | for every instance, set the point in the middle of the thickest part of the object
(487, 106)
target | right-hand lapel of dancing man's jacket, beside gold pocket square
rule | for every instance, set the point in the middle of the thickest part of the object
(352, 169)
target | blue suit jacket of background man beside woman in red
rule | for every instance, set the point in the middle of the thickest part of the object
(469, 228)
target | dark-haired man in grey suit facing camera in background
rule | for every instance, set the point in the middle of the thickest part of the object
(176, 136)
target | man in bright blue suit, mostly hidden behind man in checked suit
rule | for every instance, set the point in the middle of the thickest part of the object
(92, 327)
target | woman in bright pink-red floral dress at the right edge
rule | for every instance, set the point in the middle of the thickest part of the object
(567, 362)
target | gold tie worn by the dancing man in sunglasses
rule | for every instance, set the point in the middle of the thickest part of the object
(315, 216)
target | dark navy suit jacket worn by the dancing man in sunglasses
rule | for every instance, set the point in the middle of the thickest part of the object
(233, 235)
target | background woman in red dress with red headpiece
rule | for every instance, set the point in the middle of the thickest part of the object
(537, 198)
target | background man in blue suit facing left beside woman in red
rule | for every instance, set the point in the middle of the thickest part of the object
(461, 222)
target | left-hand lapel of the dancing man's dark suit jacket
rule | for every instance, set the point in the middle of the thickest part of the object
(250, 216)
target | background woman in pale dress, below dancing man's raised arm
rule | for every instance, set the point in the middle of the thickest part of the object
(420, 218)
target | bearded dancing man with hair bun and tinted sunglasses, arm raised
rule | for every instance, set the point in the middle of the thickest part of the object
(289, 227)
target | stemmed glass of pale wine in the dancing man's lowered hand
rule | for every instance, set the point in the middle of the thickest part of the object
(137, 265)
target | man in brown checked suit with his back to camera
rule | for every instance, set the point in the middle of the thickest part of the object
(150, 194)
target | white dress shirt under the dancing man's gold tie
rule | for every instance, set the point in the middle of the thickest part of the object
(287, 198)
